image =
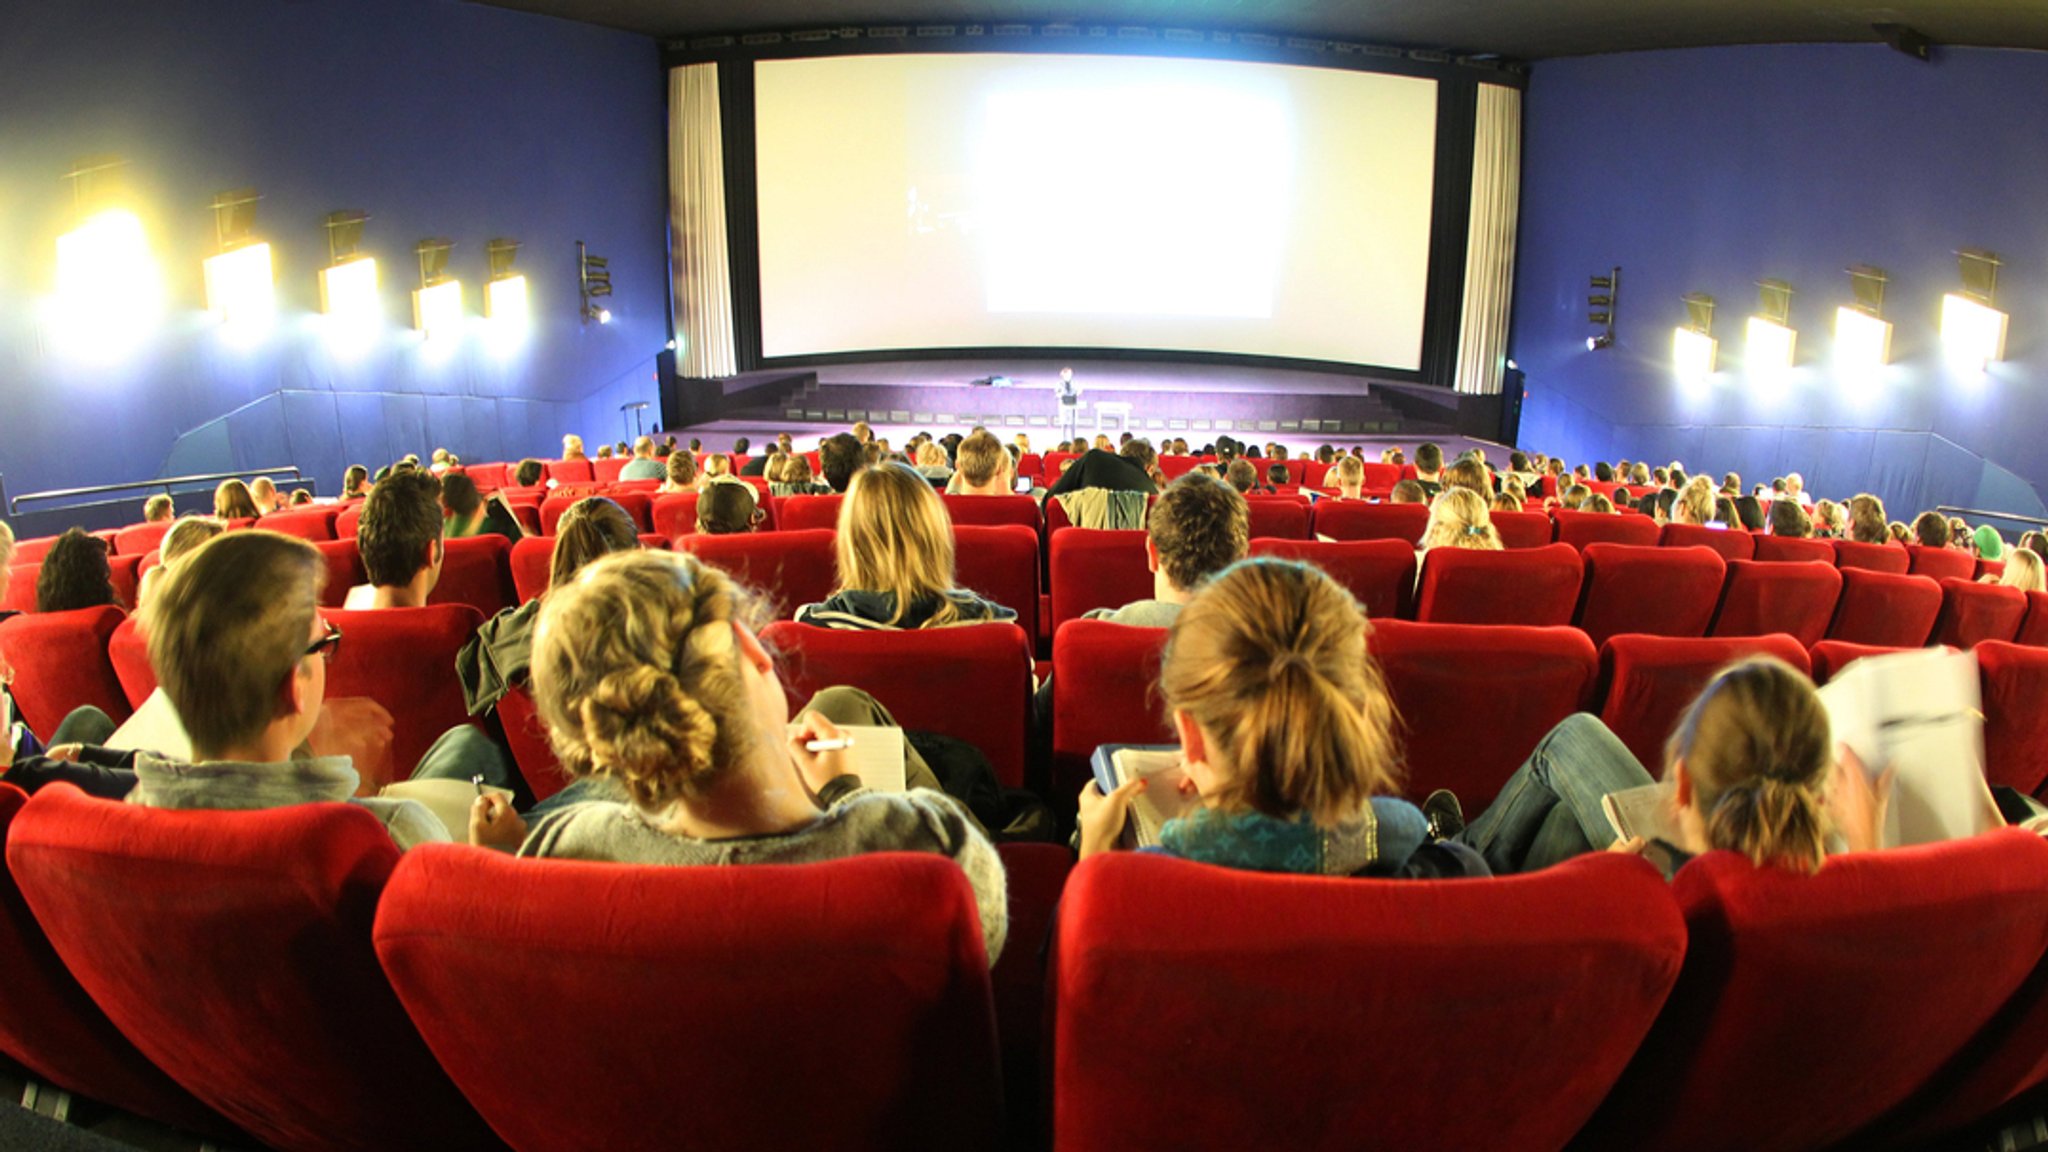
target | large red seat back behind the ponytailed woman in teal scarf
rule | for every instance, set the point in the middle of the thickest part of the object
(1267, 989)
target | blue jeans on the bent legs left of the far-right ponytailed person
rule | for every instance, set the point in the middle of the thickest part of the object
(1551, 809)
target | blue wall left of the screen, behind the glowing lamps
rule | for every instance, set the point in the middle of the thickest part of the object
(433, 116)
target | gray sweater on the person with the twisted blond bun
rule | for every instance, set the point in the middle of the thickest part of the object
(859, 823)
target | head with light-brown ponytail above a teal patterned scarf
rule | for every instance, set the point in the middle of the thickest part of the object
(1277, 700)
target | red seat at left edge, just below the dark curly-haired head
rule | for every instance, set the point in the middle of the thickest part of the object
(60, 663)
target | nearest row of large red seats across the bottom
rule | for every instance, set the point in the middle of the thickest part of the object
(460, 999)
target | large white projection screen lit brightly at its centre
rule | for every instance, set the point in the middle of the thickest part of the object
(1093, 202)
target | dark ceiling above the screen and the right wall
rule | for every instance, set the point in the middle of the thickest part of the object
(1517, 30)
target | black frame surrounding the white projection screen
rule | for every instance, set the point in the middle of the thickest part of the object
(1457, 93)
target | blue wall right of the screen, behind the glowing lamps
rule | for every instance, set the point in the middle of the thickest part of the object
(1713, 169)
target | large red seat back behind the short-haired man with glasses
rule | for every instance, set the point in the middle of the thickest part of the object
(237, 950)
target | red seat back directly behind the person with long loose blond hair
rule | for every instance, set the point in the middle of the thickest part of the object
(972, 684)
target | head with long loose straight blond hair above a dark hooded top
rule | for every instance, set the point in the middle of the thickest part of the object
(896, 538)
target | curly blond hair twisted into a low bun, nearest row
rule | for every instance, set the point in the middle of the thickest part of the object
(636, 671)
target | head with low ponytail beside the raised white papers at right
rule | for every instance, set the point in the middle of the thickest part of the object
(1752, 759)
